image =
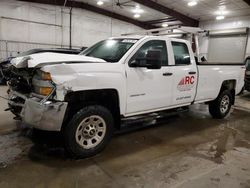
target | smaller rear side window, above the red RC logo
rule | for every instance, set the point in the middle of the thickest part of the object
(181, 53)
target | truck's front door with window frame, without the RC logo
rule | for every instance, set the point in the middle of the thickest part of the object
(148, 89)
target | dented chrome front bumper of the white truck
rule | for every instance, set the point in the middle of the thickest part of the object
(43, 115)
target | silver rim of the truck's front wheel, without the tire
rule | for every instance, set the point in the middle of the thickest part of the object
(90, 132)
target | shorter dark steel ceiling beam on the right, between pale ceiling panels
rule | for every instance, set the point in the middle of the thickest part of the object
(170, 12)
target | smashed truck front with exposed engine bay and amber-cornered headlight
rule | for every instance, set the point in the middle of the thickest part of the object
(24, 83)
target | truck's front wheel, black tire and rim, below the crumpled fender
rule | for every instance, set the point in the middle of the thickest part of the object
(72, 142)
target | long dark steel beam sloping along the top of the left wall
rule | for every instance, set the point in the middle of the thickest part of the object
(82, 5)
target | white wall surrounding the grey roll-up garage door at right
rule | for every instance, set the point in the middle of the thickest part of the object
(229, 23)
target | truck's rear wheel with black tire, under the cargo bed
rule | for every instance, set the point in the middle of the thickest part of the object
(217, 109)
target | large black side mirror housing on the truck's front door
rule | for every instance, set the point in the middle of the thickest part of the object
(154, 59)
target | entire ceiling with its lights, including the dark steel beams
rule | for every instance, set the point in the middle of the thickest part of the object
(155, 13)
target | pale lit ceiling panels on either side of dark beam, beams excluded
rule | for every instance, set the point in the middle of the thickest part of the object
(204, 10)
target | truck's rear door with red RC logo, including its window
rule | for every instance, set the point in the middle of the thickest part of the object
(185, 75)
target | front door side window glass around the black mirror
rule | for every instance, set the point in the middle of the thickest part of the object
(152, 45)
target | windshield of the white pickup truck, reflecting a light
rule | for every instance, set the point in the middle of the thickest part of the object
(111, 50)
